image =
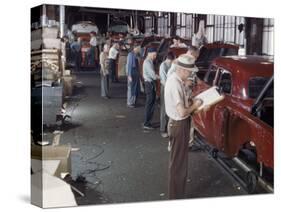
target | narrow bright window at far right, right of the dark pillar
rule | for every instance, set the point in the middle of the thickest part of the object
(268, 37)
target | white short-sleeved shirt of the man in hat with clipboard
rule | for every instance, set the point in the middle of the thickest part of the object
(175, 93)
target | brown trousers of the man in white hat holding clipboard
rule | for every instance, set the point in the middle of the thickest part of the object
(179, 132)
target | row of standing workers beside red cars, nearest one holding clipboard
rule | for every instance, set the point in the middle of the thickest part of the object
(176, 76)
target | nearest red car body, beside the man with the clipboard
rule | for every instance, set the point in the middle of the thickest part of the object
(230, 124)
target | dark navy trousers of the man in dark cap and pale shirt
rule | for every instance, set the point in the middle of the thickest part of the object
(150, 92)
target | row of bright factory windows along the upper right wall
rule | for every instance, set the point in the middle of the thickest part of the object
(217, 27)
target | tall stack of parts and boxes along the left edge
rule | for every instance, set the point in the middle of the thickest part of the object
(48, 77)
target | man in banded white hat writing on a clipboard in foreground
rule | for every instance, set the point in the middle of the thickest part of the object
(179, 111)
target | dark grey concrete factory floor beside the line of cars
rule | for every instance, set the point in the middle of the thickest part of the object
(117, 161)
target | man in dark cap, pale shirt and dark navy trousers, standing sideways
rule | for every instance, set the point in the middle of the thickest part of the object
(149, 77)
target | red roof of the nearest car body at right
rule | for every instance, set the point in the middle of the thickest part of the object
(248, 65)
